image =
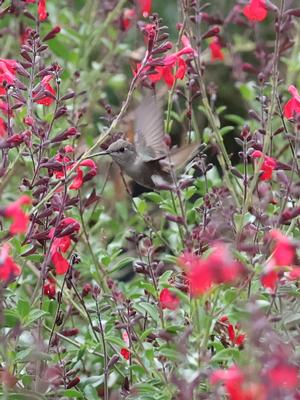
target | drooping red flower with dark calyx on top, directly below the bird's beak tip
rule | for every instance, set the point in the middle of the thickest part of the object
(61, 243)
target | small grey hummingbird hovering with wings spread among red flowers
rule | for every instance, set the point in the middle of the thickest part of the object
(148, 161)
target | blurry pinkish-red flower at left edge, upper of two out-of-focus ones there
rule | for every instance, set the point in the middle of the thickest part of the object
(19, 217)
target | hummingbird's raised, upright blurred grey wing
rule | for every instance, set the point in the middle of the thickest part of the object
(149, 135)
